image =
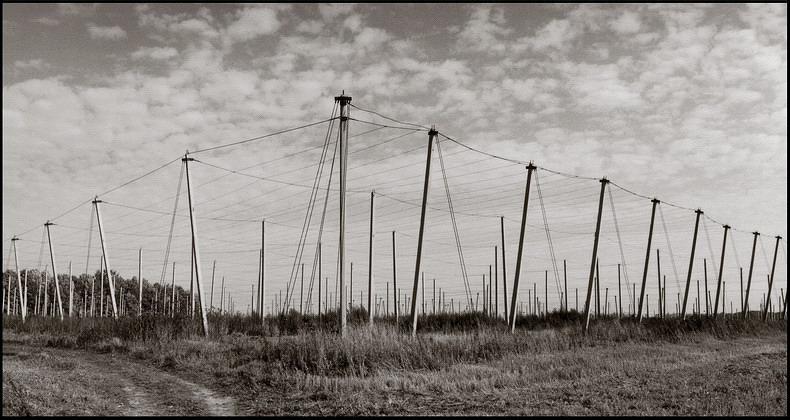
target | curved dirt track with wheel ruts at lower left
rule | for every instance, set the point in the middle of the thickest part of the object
(46, 381)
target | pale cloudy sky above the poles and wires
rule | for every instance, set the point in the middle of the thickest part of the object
(686, 103)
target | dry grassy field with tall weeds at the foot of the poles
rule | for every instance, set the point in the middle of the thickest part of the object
(459, 365)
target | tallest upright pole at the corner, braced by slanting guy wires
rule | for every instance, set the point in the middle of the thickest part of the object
(344, 113)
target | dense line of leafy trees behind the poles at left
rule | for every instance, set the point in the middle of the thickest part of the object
(91, 295)
